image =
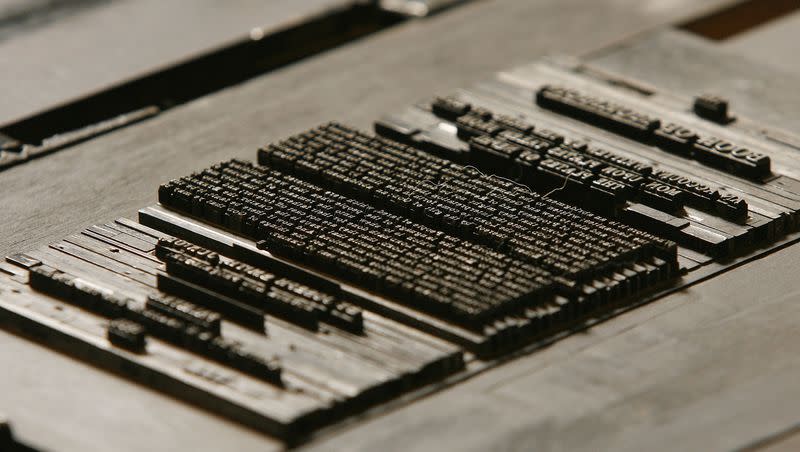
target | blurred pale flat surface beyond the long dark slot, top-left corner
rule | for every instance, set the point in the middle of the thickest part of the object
(59, 54)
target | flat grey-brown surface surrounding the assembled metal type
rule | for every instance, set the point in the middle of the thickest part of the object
(69, 406)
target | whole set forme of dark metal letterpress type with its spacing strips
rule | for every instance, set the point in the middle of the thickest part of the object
(345, 271)
